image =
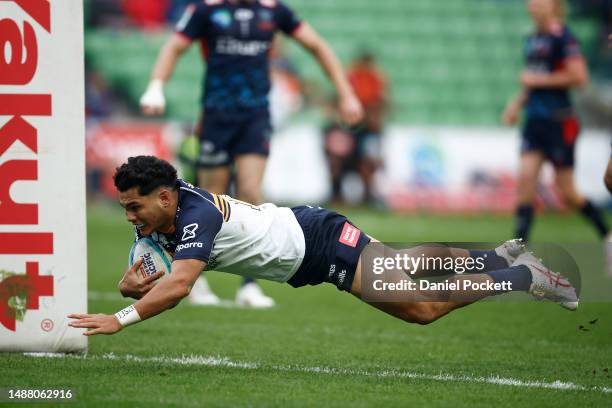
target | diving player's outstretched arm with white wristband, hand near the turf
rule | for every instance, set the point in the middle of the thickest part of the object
(166, 294)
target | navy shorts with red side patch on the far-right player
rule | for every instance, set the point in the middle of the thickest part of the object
(555, 138)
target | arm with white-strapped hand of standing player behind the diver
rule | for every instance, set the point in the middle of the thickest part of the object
(152, 101)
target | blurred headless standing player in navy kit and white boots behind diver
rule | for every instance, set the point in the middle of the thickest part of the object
(235, 129)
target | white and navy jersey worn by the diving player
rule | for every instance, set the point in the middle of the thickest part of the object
(262, 242)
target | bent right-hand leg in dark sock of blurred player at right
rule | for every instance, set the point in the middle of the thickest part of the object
(564, 177)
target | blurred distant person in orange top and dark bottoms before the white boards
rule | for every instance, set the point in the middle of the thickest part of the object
(358, 149)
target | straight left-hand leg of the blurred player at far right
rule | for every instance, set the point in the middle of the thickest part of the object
(530, 164)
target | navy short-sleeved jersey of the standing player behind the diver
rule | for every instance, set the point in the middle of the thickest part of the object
(235, 38)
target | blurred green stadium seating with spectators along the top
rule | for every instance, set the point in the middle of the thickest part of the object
(447, 62)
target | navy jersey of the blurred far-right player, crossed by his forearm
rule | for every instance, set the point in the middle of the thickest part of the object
(547, 53)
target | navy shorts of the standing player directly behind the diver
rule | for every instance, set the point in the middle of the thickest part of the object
(227, 134)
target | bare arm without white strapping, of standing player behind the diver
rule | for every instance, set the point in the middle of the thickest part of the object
(350, 107)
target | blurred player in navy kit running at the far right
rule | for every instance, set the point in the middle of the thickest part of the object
(554, 65)
